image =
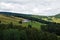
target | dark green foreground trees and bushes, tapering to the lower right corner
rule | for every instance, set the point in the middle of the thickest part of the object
(14, 32)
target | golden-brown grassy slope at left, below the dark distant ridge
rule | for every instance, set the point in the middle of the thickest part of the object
(6, 19)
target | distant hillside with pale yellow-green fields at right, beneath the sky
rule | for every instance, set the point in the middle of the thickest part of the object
(55, 18)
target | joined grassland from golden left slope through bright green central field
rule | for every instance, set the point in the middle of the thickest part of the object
(15, 20)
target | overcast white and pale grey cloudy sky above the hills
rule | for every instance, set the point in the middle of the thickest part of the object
(36, 7)
